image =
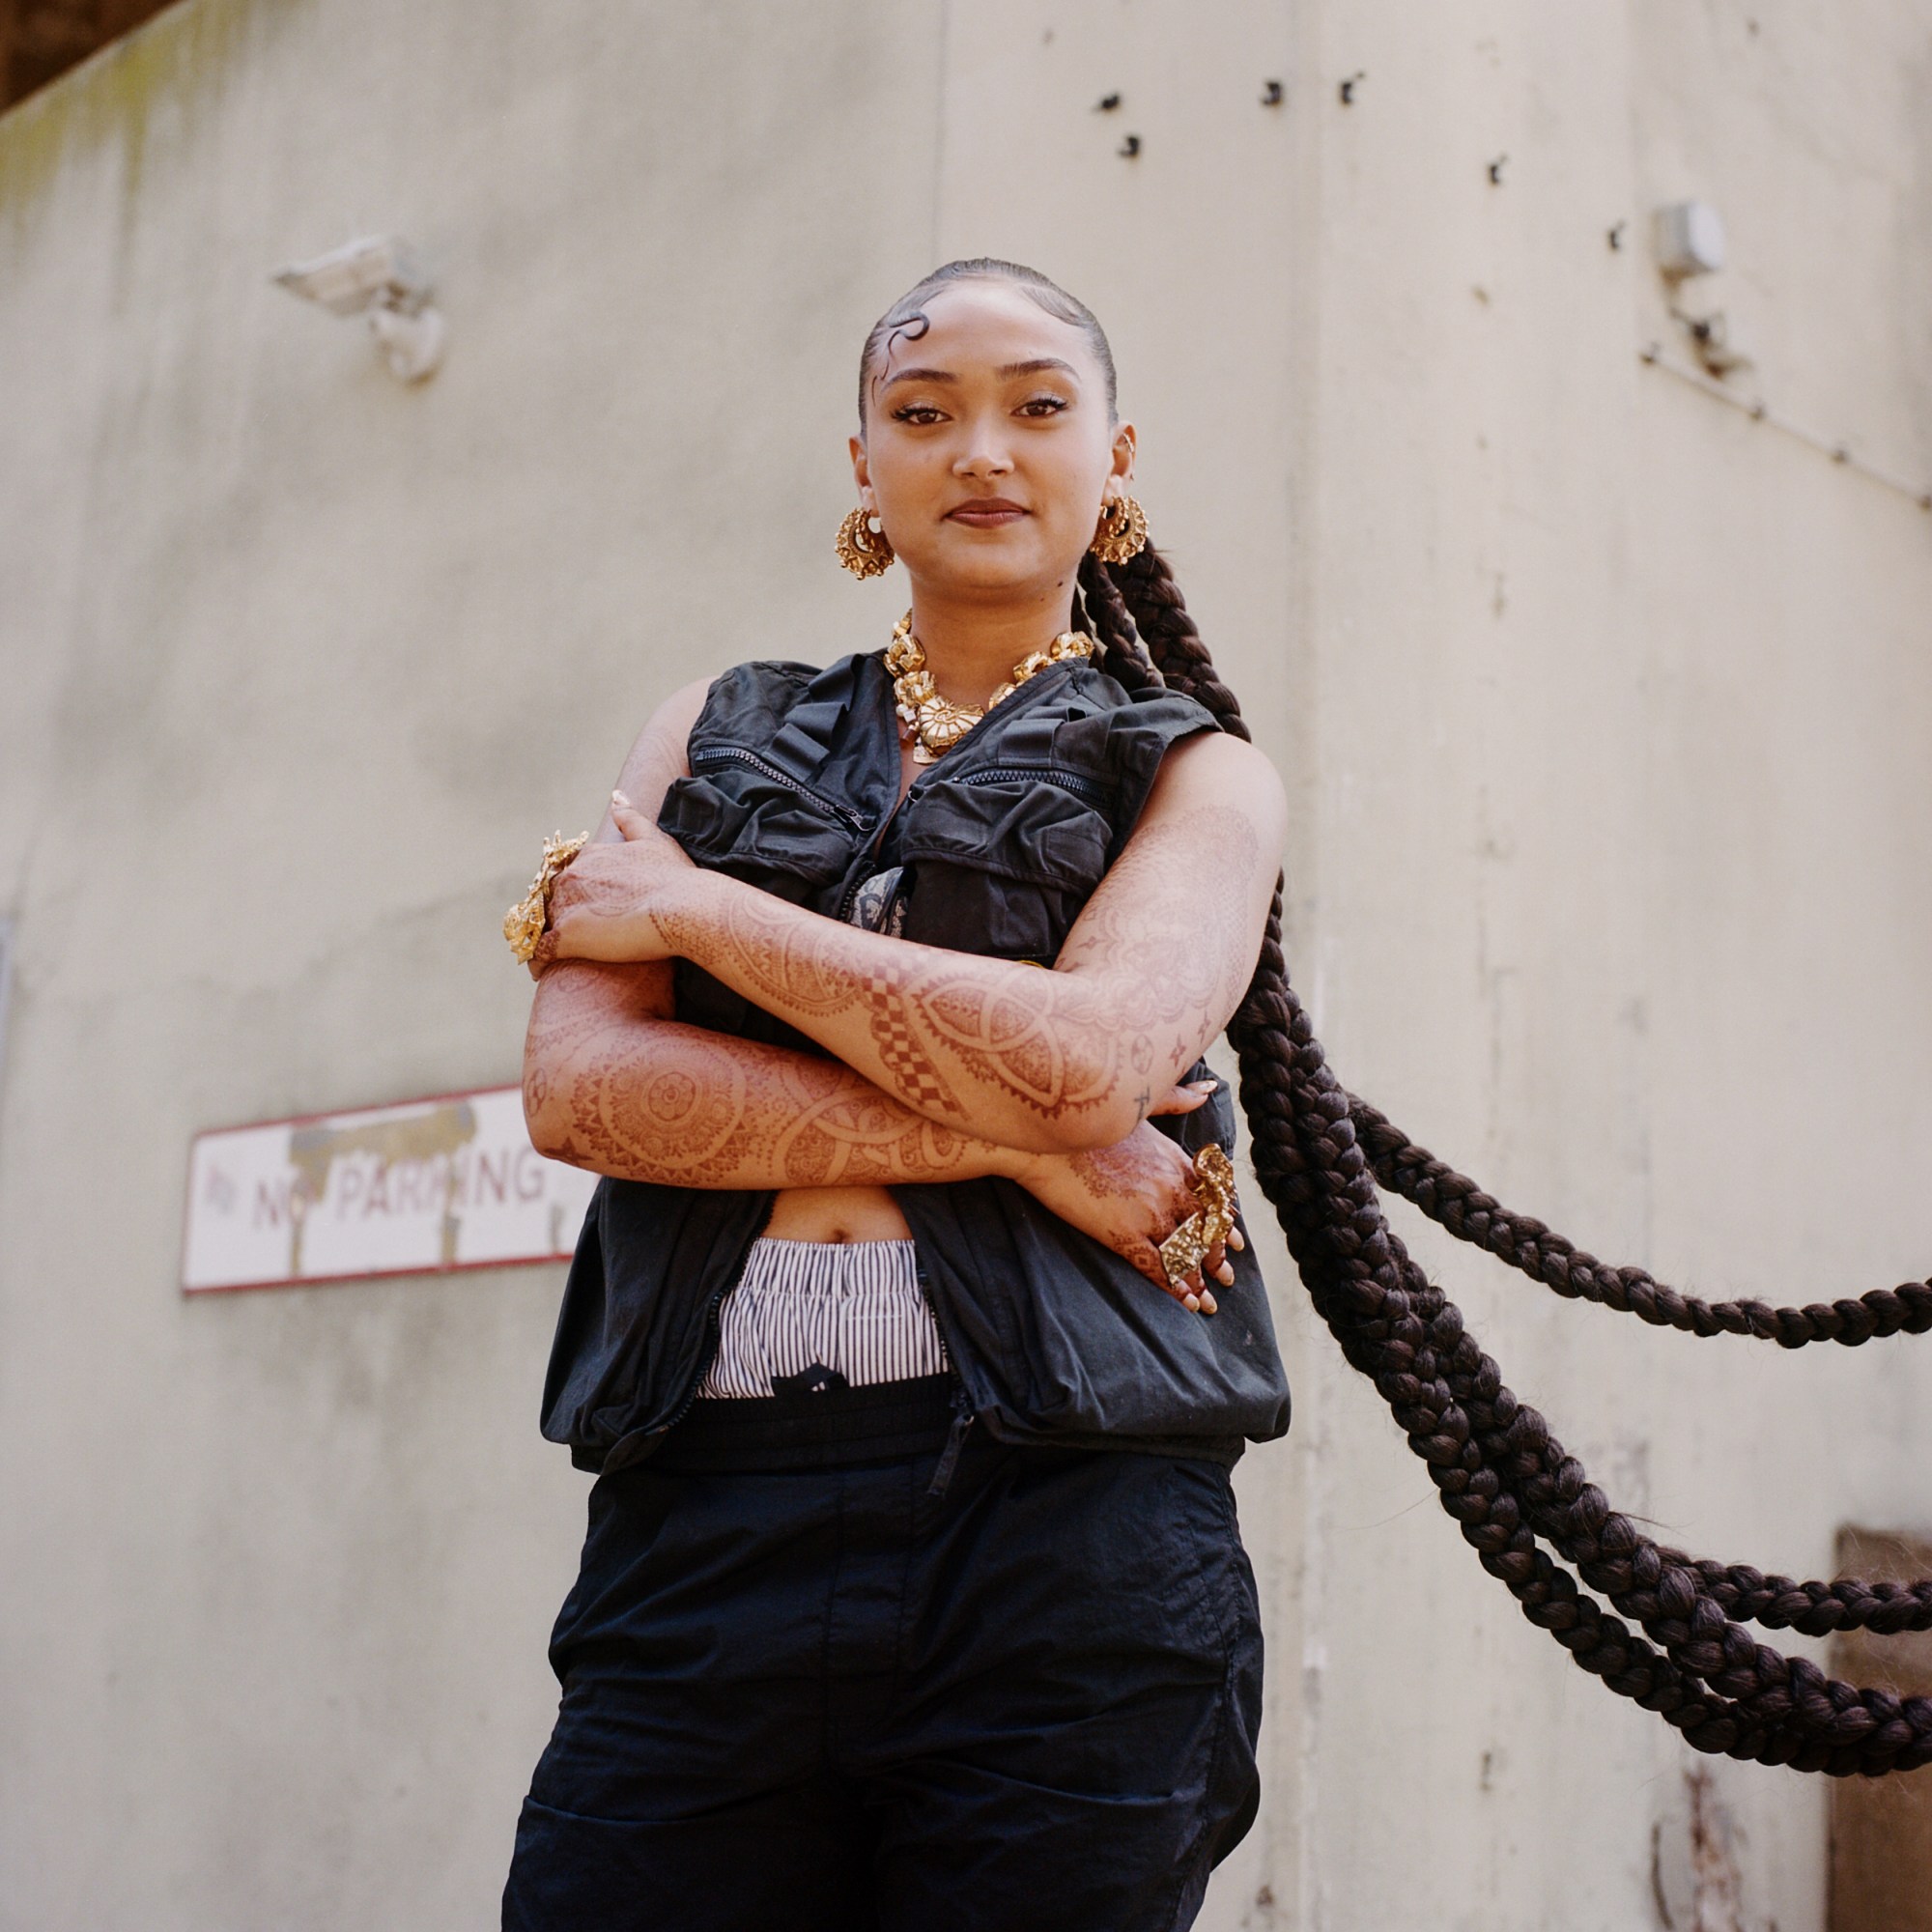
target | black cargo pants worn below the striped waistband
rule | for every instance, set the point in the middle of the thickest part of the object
(828, 1701)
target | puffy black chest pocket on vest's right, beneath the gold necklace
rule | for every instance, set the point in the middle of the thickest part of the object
(1006, 859)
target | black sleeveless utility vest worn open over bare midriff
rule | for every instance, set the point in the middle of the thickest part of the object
(996, 849)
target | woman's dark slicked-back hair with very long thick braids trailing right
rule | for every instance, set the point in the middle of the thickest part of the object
(1529, 1508)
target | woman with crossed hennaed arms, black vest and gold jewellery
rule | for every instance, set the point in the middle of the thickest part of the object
(901, 1332)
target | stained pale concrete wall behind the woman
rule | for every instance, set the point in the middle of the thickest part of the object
(1605, 710)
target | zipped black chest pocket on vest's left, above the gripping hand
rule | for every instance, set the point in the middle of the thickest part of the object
(747, 816)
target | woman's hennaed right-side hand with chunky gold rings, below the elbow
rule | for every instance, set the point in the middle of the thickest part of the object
(1133, 1197)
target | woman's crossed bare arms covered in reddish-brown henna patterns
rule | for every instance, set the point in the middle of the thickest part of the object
(946, 1065)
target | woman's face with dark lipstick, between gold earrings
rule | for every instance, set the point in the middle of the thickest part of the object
(988, 445)
